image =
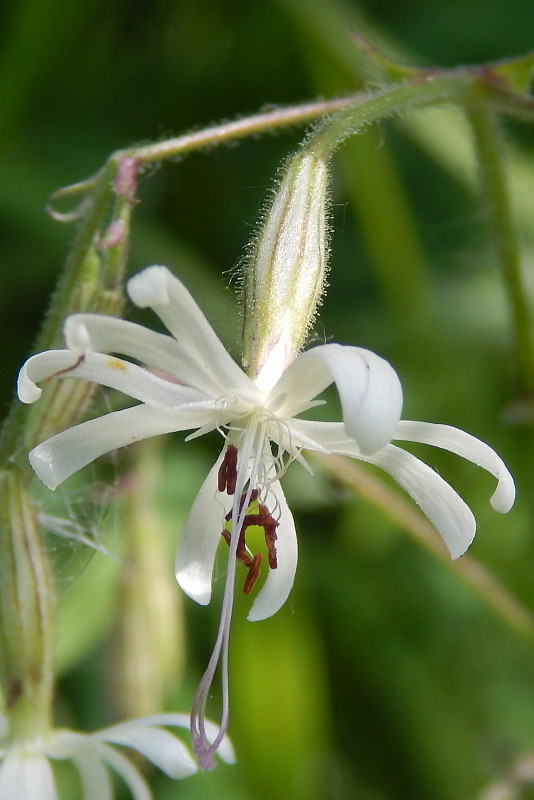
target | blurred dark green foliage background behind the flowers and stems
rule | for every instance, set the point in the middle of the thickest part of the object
(387, 676)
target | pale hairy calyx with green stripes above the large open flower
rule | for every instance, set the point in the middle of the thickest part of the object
(286, 272)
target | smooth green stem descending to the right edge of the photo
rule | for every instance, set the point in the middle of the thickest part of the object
(495, 193)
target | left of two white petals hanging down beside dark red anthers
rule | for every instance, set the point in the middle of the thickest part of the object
(199, 539)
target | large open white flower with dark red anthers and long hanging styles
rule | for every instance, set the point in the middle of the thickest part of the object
(195, 385)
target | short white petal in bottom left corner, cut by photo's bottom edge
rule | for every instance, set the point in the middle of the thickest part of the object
(26, 776)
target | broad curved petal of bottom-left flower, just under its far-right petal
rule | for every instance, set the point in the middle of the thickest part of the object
(157, 745)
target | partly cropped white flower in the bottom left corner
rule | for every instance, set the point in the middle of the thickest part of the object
(26, 771)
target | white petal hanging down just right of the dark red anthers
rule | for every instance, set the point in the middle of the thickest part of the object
(279, 583)
